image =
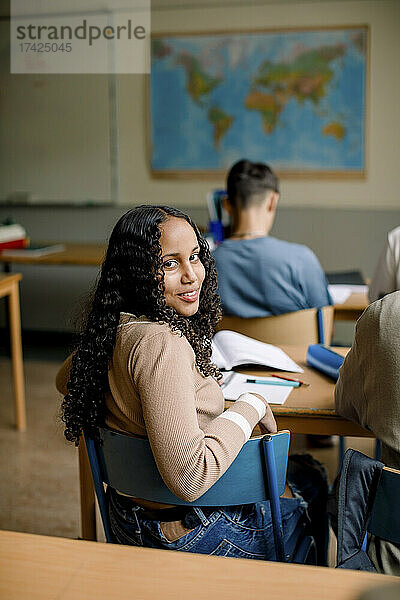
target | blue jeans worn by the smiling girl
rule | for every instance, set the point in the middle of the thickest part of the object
(237, 531)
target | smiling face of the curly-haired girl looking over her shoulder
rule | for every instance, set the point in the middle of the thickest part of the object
(183, 270)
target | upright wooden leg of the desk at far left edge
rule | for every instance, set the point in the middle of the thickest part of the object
(16, 358)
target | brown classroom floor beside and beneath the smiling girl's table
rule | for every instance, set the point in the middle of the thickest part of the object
(39, 470)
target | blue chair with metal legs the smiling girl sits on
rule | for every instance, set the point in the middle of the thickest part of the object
(257, 474)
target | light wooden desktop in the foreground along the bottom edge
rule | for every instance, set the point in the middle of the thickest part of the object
(44, 568)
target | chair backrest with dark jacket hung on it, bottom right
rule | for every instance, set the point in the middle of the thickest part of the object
(368, 500)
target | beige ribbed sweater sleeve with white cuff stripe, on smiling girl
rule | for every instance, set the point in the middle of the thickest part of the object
(189, 459)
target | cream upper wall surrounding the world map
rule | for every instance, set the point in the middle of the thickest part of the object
(380, 188)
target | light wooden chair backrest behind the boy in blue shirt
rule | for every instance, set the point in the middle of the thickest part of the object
(309, 326)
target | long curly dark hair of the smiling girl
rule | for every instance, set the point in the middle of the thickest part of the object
(132, 280)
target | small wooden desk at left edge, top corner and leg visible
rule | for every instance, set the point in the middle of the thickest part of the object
(9, 286)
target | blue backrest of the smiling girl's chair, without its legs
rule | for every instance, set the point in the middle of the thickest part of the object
(127, 464)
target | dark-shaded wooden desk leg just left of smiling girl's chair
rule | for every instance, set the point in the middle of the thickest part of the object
(88, 506)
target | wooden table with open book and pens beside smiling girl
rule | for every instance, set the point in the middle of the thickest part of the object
(307, 410)
